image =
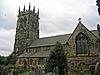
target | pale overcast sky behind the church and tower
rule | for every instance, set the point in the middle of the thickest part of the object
(56, 17)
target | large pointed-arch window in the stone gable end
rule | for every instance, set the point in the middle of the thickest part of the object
(82, 46)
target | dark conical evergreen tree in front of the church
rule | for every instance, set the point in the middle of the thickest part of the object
(57, 59)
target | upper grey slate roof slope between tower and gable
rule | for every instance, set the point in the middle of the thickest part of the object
(48, 41)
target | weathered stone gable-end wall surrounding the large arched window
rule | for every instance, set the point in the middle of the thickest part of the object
(74, 60)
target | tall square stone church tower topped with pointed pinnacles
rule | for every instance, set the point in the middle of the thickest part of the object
(27, 29)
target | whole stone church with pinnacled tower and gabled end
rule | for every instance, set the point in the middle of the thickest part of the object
(81, 46)
